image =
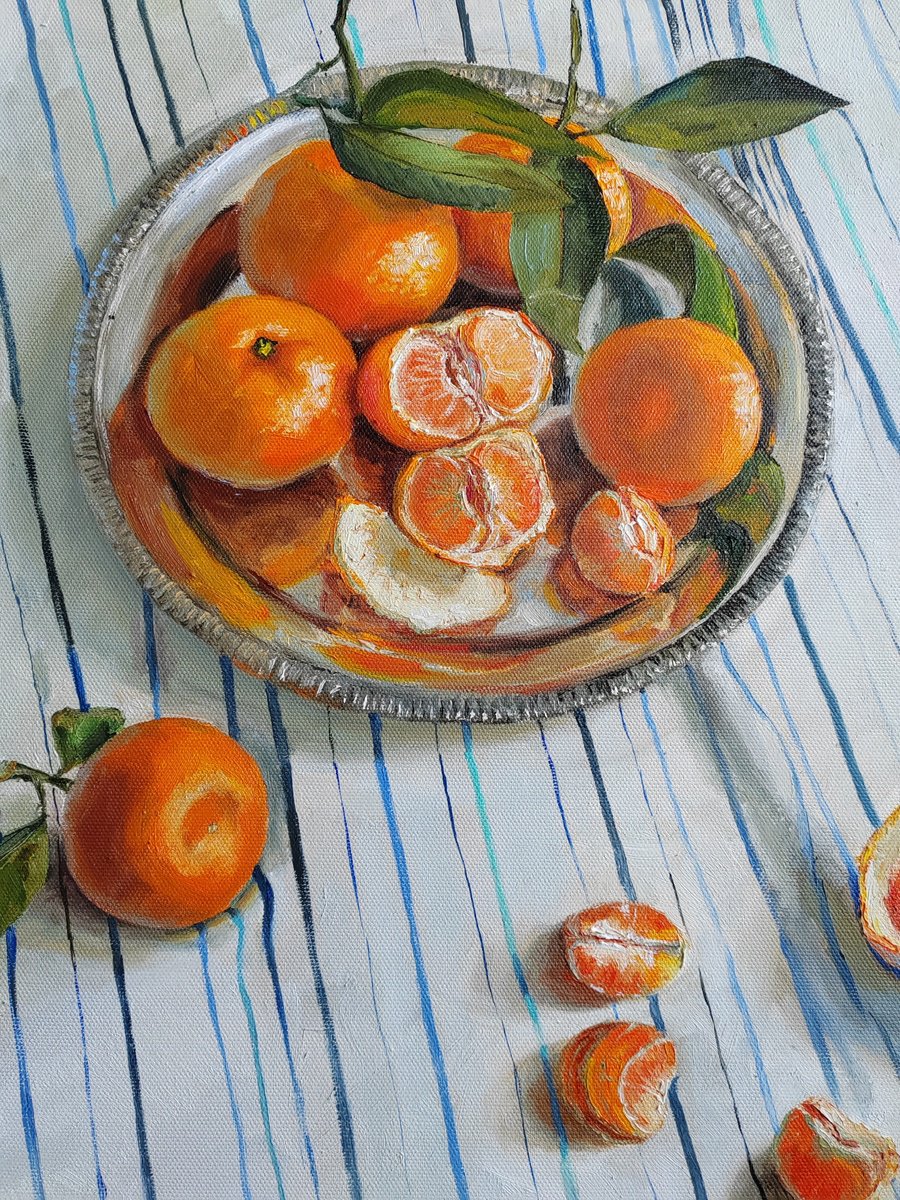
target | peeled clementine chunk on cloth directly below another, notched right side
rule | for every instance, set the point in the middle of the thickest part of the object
(617, 1077)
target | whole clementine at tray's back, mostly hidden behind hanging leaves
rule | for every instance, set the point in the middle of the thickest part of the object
(484, 237)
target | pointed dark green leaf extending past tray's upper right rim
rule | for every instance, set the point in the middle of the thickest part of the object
(723, 104)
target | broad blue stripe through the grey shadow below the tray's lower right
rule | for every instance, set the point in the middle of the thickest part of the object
(789, 950)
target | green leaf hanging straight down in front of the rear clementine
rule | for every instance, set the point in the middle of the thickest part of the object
(557, 254)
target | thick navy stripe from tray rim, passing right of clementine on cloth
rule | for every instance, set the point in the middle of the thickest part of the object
(343, 1106)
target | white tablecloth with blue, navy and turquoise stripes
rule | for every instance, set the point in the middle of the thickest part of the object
(381, 1022)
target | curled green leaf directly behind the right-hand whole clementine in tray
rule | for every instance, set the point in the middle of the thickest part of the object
(697, 271)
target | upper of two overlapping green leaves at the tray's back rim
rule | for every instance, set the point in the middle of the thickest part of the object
(430, 99)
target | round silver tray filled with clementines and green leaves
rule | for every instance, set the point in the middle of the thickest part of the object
(454, 393)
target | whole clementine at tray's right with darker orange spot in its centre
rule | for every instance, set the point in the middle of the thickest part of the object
(671, 409)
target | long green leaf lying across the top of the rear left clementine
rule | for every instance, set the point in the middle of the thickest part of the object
(428, 171)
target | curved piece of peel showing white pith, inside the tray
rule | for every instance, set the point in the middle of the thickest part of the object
(405, 584)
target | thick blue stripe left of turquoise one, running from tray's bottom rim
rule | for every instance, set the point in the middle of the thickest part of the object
(437, 1055)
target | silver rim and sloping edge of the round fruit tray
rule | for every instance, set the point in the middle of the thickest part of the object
(112, 335)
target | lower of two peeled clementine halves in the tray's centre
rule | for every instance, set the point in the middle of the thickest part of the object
(479, 503)
